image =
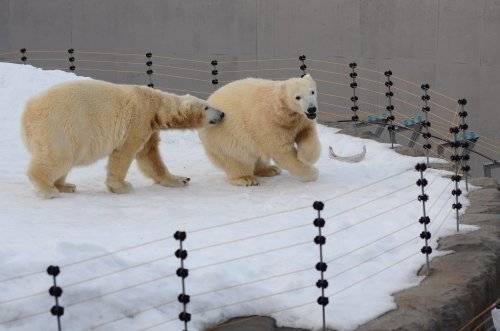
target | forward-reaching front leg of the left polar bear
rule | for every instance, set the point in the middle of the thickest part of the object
(150, 163)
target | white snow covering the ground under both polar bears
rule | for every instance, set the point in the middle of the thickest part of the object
(251, 250)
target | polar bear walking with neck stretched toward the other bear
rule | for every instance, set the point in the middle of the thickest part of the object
(80, 122)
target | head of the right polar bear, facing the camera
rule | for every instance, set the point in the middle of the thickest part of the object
(300, 96)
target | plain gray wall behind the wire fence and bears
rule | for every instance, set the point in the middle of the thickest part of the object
(451, 44)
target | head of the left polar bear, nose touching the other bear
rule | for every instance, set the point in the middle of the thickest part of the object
(187, 112)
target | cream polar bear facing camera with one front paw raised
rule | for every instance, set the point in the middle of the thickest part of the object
(265, 120)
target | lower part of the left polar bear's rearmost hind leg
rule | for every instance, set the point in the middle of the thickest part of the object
(43, 176)
